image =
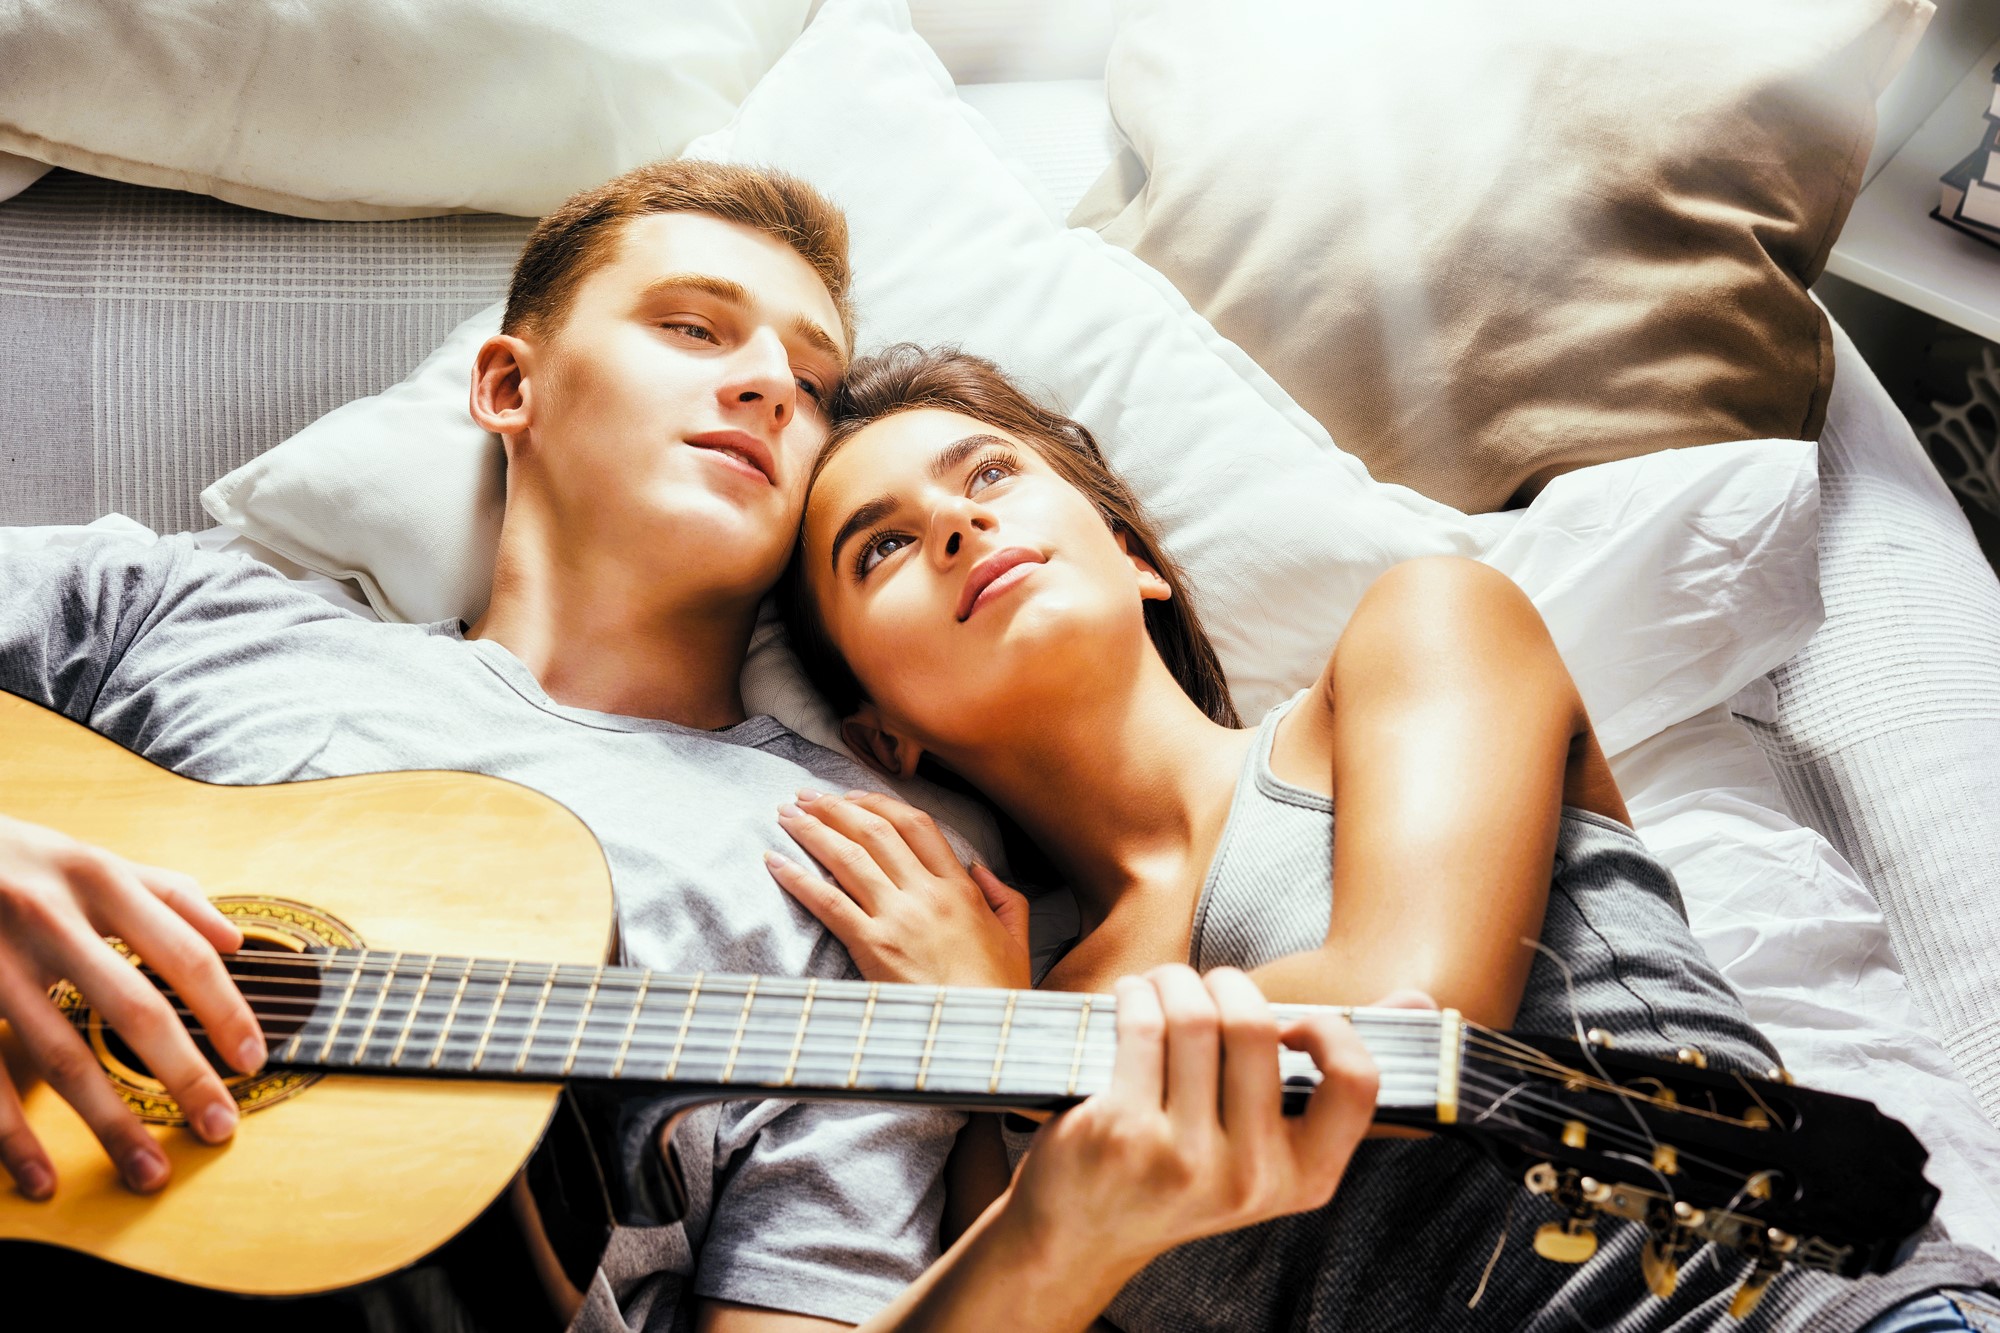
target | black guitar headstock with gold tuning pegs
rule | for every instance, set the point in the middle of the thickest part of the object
(1775, 1172)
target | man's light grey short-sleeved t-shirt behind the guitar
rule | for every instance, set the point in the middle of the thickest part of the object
(223, 672)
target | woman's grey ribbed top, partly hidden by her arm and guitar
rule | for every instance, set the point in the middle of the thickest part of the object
(1409, 1234)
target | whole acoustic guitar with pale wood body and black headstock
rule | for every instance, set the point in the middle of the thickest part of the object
(427, 958)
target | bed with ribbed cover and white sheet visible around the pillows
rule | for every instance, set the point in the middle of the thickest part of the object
(1831, 824)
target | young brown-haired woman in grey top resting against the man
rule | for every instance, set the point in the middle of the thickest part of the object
(977, 593)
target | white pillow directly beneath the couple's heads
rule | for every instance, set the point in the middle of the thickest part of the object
(1669, 581)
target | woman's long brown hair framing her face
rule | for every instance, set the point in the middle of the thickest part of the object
(909, 377)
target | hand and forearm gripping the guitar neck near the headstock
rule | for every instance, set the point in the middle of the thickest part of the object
(1189, 1140)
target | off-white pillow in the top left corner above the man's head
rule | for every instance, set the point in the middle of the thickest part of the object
(377, 109)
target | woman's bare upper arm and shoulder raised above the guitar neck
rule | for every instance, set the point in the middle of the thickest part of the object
(1451, 736)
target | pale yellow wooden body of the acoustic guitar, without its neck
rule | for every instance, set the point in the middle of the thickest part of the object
(331, 1180)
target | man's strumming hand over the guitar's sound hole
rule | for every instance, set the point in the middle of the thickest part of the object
(59, 900)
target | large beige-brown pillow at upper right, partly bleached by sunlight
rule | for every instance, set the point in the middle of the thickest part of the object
(1493, 241)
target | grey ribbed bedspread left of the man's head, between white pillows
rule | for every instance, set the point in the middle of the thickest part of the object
(153, 341)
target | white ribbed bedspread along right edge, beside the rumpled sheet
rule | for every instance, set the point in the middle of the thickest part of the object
(1887, 734)
